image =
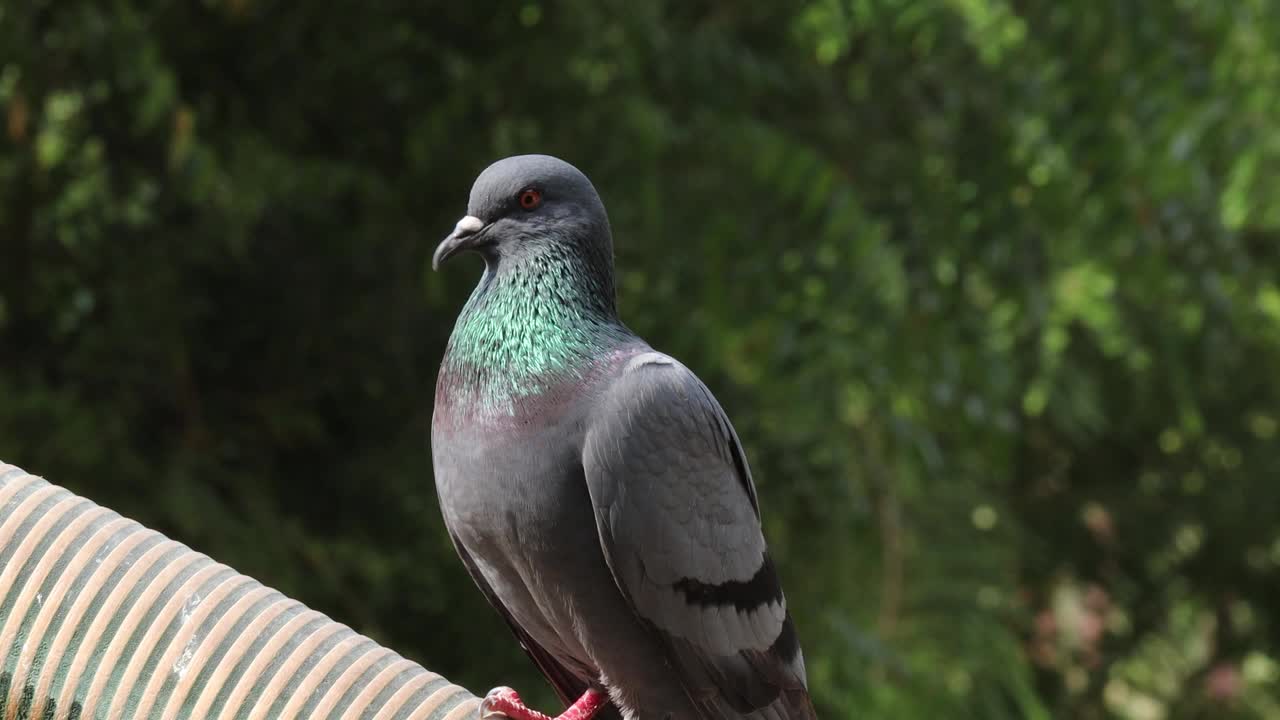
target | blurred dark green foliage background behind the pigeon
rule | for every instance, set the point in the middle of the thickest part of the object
(991, 290)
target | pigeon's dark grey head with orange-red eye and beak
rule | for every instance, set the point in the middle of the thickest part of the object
(528, 204)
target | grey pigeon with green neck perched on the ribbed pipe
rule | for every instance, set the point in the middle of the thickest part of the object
(592, 486)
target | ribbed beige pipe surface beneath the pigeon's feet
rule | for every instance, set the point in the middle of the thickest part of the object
(103, 618)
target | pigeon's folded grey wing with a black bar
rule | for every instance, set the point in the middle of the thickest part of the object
(680, 528)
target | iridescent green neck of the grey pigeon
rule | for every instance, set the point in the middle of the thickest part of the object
(531, 325)
